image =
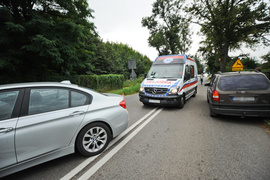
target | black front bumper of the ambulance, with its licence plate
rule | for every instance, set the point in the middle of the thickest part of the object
(171, 100)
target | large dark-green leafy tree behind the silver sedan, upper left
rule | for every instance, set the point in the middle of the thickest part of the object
(44, 37)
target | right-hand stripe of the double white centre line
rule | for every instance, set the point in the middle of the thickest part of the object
(108, 156)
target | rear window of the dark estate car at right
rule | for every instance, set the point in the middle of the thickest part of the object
(243, 82)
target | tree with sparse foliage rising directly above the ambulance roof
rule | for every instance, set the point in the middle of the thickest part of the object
(169, 31)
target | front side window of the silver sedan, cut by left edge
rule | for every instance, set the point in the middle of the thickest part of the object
(7, 103)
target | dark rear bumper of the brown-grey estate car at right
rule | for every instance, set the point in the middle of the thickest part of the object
(248, 110)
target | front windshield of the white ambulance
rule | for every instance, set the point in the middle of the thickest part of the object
(166, 71)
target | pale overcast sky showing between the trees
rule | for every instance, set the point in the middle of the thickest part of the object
(119, 21)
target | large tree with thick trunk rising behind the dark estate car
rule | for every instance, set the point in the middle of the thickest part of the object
(227, 24)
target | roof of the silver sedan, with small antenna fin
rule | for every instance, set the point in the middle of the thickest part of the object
(38, 84)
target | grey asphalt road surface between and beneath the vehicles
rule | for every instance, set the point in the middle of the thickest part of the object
(173, 144)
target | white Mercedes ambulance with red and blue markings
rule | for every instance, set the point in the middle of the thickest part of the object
(171, 81)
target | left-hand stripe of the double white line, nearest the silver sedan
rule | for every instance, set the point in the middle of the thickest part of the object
(81, 166)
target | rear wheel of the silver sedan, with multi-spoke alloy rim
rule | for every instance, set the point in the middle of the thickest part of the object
(93, 139)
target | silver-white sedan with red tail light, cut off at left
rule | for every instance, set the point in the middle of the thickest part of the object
(43, 121)
